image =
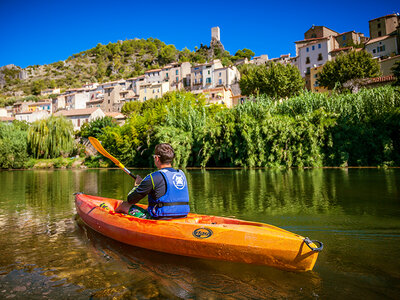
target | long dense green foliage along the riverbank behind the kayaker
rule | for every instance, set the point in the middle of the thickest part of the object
(309, 130)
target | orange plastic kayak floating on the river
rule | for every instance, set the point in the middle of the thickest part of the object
(202, 236)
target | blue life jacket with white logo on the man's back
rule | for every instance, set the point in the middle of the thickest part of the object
(175, 202)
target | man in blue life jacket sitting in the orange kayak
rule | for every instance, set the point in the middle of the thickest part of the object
(166, 189)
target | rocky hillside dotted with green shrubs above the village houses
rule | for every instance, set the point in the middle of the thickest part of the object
(103, 63)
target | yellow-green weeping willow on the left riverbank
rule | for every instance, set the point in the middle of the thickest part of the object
(50, 138)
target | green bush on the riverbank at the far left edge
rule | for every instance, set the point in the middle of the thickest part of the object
(13, 146)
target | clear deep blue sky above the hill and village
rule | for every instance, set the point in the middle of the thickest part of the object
(42, 32)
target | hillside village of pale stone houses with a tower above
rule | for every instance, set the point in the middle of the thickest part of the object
(218, 83)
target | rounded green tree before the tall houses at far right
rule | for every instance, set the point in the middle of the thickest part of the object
(347, 66)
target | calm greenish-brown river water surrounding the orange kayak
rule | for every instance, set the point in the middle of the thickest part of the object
(47, 252)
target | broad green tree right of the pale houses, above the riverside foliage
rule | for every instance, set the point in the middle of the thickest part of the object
(274, 80)
